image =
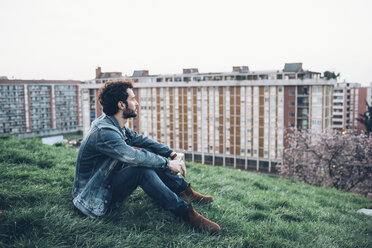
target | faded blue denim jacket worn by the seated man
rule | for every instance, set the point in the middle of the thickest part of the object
(105, 146)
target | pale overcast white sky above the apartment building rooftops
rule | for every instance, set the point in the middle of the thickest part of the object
(68, 39)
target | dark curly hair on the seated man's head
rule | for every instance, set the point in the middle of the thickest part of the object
(113, 92)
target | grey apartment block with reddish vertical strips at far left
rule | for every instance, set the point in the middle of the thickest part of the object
(39, 107)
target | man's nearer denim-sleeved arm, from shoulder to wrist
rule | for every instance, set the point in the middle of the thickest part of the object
(110, 143)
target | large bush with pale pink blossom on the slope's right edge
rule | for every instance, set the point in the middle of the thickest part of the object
(342, 161)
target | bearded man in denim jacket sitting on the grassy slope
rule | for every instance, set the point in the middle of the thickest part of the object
(109, 169)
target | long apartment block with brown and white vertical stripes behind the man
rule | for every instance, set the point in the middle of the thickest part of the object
(236, 119)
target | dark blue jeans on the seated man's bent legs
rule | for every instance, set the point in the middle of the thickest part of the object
(160, 184)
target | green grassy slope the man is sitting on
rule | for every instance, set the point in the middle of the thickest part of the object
(253, 210)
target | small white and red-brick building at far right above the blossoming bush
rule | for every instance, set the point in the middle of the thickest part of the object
(349, 101)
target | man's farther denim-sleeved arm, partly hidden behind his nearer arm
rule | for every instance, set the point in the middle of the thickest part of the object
(149, 144)
